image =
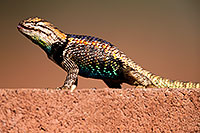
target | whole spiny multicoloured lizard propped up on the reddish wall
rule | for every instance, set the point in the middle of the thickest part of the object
(91, 57)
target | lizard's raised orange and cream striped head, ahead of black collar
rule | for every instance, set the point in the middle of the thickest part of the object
(41, 32)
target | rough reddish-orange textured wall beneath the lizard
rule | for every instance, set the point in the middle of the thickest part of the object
(106, 110)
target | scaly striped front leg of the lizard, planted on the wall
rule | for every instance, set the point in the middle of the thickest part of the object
(72, 77)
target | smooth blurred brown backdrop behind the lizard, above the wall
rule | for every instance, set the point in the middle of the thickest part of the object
(161, 36)
